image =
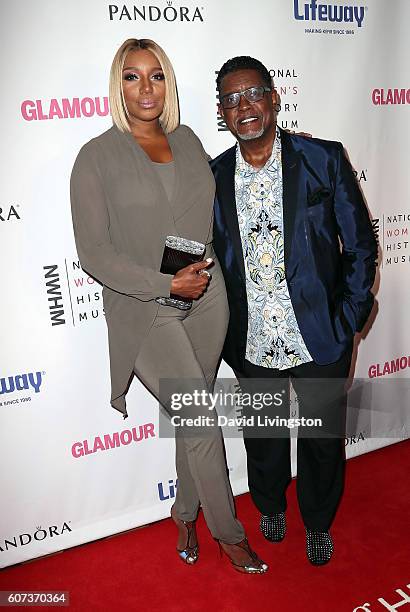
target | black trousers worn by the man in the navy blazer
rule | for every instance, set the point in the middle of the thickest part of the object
(320, 460)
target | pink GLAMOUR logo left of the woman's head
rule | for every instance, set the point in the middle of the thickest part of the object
(66, 108)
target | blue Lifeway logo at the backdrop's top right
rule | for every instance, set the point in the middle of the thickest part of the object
(328, 12)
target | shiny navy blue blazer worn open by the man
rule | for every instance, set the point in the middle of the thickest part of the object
(330, 248)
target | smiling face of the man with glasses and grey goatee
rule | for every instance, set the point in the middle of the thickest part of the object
(248, 120)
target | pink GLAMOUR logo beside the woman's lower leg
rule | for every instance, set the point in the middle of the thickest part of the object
(115, 440)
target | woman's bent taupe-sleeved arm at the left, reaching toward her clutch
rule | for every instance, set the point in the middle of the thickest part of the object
(95, 250)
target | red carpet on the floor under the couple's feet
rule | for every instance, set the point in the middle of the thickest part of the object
(139, 569)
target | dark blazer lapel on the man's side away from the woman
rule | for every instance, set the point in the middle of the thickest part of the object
(290, 178)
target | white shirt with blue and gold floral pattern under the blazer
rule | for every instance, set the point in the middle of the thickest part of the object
(274, 339)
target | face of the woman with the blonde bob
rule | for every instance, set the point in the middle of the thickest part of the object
(143, 84)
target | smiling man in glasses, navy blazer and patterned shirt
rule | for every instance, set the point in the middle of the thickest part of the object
(296, 246)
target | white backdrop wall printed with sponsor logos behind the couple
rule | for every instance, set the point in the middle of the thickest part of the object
(72, 470)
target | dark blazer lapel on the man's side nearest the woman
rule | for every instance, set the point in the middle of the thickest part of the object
(225, 182)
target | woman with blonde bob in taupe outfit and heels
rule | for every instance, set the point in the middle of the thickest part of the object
(142, 180)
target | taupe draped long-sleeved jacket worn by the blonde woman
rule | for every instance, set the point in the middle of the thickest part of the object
(121, 217)
